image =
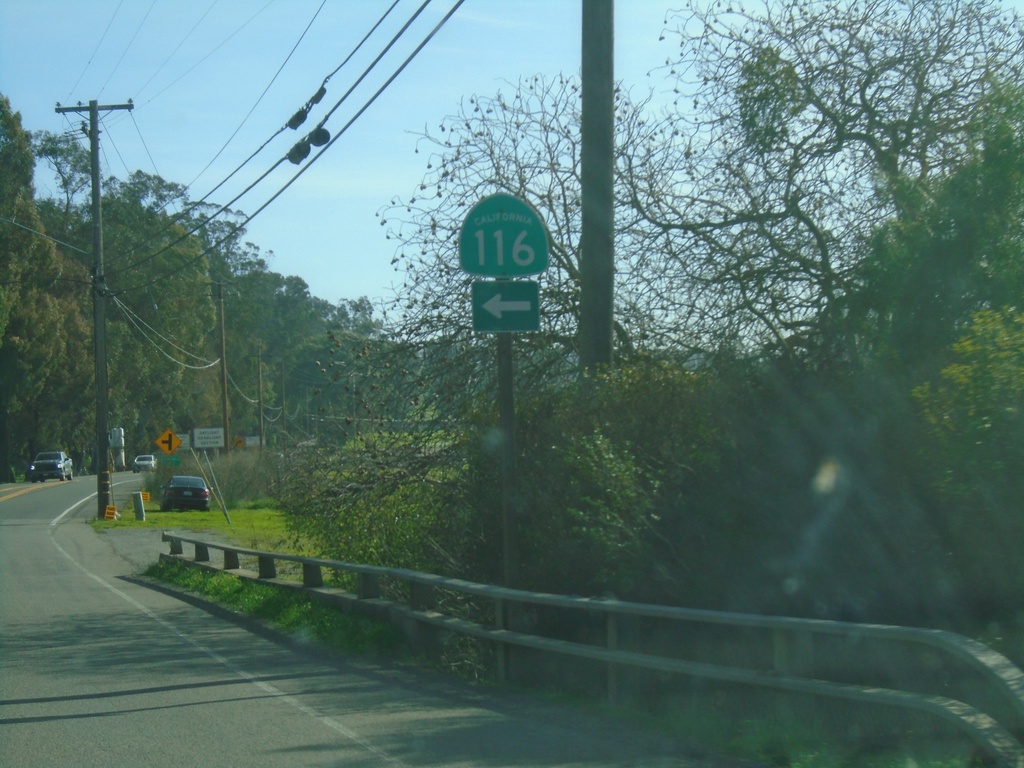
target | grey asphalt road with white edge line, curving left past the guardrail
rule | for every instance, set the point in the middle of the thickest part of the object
(100, 669)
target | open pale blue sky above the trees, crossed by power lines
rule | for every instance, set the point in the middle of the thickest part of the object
(214, 80)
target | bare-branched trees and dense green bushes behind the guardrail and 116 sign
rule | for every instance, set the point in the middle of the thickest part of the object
(819, 247)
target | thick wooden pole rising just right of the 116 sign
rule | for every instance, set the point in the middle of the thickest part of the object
(598, 161)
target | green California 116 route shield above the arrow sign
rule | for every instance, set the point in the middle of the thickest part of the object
(503, 237)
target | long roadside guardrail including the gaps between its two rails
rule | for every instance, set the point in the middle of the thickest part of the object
(989, 707)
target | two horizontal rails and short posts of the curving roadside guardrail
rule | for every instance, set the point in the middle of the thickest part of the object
(1002, 677)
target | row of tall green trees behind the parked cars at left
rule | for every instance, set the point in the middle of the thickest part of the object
(170, 268)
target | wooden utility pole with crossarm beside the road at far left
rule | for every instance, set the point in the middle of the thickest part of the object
(100, 292)
